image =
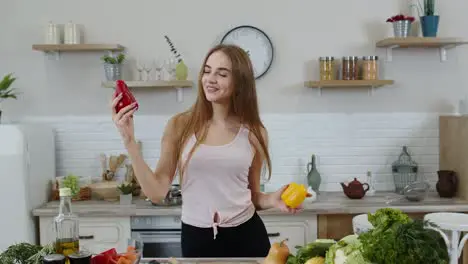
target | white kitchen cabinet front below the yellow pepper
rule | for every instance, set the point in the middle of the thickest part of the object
(298, 229)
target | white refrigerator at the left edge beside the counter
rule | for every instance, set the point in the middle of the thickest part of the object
(27, 166)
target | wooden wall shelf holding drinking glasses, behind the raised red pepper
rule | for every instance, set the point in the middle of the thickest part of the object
(178, 85)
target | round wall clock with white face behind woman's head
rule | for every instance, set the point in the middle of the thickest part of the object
(256, 43)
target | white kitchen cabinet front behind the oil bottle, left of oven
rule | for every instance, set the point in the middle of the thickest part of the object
(96, 233)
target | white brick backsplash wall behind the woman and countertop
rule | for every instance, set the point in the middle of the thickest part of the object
(347, 145)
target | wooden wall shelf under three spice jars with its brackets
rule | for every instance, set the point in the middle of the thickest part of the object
(371, 84)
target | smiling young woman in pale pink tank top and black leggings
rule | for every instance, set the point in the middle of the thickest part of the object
(218, 148)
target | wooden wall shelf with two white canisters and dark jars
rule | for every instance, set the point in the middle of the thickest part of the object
(77, 47)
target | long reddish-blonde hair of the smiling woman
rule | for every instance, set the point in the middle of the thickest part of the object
(244, 106)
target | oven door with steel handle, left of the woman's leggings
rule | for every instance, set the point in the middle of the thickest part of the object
(159, 243)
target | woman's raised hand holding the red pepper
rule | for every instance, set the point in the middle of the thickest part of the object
(123, 120)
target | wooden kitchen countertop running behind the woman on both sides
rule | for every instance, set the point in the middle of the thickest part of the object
(327, 203)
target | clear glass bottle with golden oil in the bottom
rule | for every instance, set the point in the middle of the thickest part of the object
(66, 226)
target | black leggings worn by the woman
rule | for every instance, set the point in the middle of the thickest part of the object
(249, 239)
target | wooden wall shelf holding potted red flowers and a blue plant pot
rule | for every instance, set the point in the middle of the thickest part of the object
(443, 44)
